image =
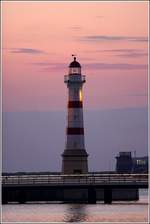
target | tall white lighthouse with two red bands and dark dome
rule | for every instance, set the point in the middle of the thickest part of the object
(75, 155)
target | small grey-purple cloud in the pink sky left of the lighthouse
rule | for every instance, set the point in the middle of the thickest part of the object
(27, 51)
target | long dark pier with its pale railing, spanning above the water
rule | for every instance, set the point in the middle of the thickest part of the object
(72, 188)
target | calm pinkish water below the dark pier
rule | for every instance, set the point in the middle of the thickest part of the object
(121, 212)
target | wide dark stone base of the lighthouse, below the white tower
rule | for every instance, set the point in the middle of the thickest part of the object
(75, 161)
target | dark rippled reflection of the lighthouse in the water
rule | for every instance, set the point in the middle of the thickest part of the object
(75, 213)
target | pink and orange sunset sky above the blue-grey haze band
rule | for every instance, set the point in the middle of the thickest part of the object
(109, 38)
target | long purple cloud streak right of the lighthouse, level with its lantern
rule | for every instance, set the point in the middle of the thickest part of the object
(118, 66)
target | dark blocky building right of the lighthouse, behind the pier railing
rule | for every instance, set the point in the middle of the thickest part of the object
(128, 164)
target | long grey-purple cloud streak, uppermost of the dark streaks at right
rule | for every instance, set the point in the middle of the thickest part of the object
(99, 38)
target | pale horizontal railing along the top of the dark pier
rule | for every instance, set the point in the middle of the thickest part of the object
(85, 179)
